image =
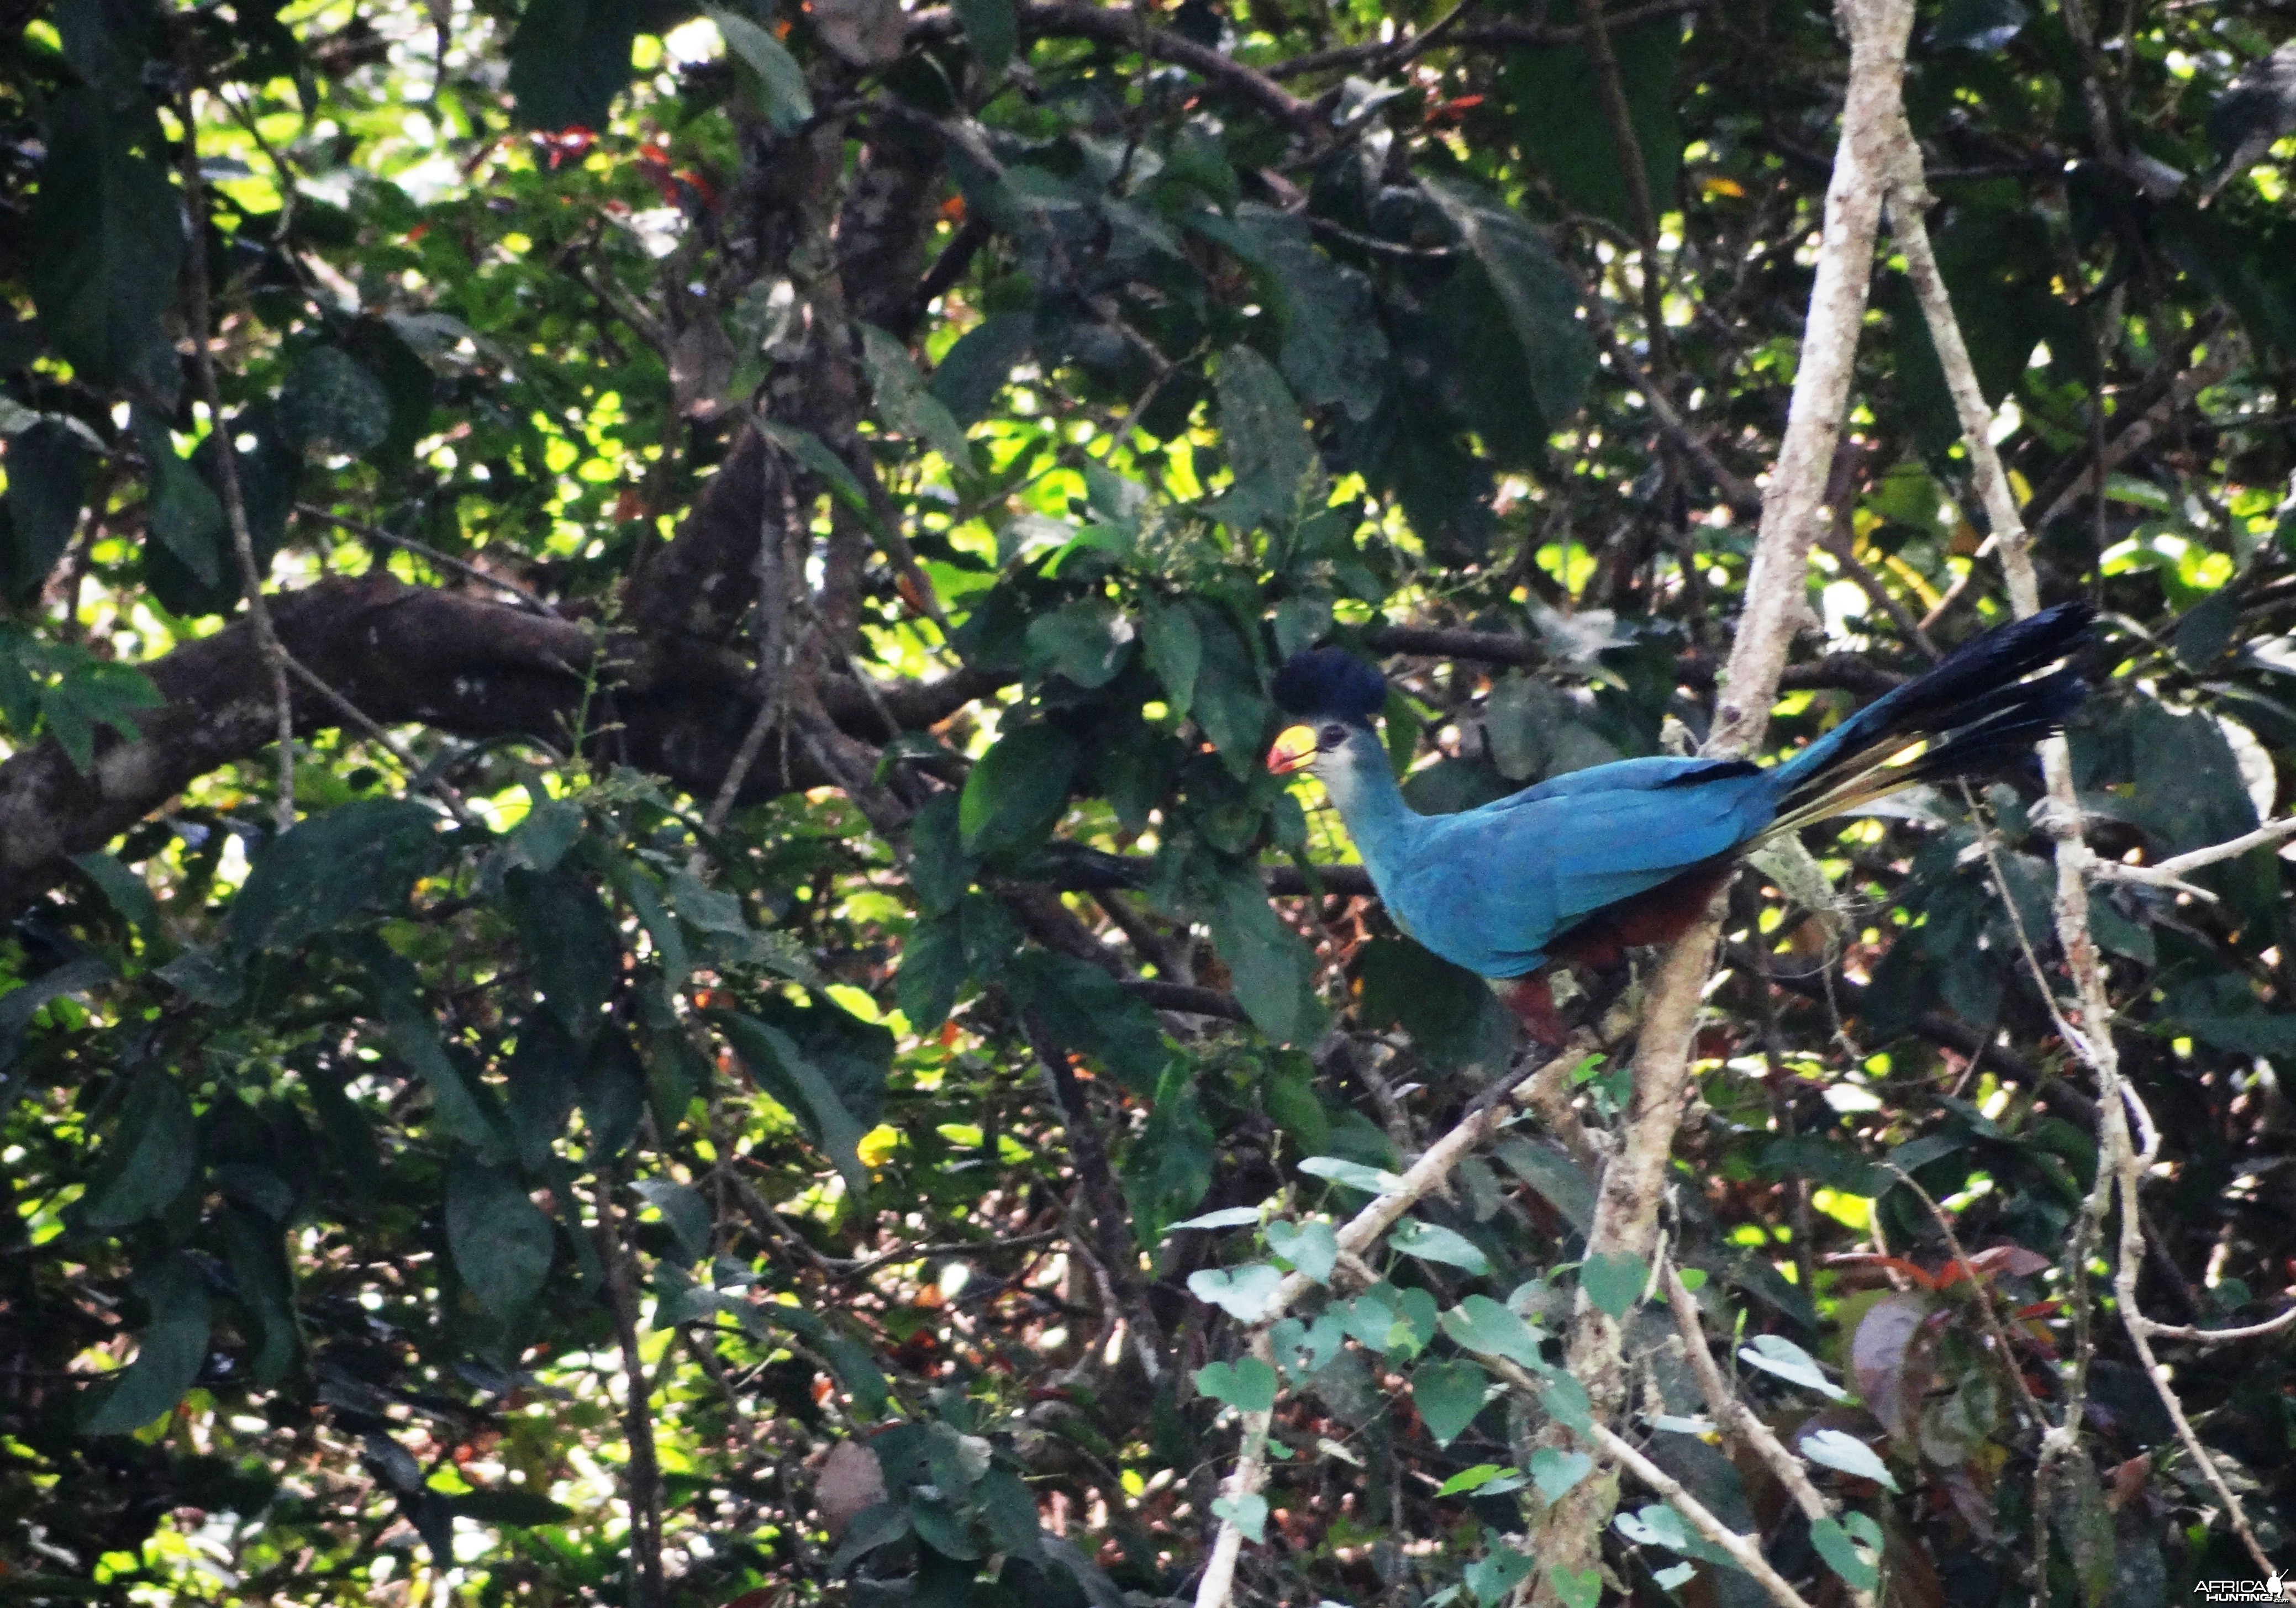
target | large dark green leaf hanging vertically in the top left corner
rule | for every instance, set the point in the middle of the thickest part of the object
(104, 240)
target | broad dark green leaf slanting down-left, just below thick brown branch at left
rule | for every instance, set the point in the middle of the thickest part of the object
(357, 858)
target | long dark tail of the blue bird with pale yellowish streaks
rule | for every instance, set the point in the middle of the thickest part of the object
(1983, 706)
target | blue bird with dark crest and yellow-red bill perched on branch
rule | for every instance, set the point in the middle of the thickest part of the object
(1592, 863)
